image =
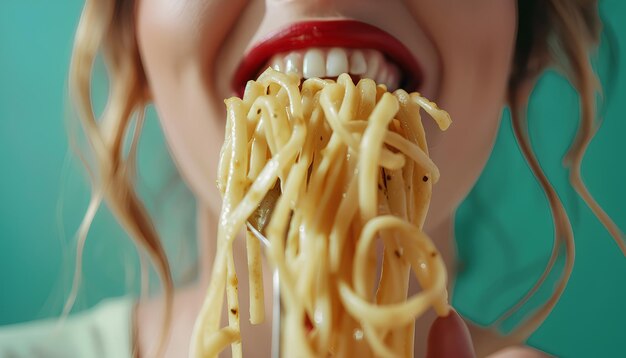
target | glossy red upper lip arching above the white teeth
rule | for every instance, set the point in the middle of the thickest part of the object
(343, 33)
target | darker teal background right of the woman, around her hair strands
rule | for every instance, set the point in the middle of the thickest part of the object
(504, 228)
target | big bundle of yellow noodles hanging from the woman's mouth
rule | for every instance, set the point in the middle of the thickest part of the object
(351, 165)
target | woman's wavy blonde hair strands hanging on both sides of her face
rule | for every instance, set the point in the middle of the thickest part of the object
(559, 33)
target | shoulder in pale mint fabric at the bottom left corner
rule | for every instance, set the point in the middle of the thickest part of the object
(103, 331)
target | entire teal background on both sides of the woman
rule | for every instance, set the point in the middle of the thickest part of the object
(504, 228)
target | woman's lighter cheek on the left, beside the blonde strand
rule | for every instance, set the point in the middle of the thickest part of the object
(178, 41)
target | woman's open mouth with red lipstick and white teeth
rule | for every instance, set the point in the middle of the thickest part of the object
(326, 49)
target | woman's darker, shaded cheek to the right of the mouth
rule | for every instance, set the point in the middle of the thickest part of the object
(475, 41)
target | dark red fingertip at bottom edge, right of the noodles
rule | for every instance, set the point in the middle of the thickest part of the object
(449, 337)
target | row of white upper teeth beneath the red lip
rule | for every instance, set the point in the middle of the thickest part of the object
(331, 62)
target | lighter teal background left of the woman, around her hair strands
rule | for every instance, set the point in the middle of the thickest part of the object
(44, 190)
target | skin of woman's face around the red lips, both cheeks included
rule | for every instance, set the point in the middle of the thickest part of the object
(191, 49)
